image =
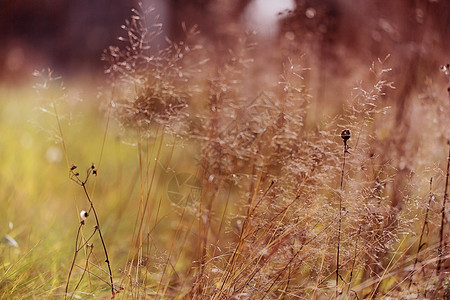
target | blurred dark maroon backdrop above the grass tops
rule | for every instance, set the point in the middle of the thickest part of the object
(69, 36)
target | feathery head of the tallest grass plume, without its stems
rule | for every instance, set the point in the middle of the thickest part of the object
(152, 84)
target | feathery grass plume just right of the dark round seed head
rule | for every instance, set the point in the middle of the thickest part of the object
(361, 117)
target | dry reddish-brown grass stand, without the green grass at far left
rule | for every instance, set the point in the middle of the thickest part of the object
(243, 190)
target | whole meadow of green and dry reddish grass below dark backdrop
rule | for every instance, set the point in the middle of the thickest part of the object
(202, 179)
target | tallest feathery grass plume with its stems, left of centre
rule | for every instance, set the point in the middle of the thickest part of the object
(152, 88)
